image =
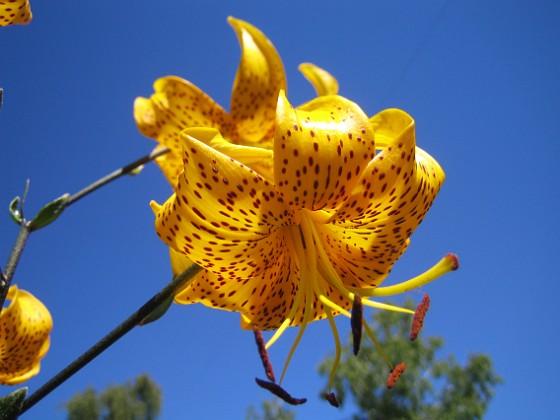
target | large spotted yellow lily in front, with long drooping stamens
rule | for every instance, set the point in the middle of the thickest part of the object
(324, 231)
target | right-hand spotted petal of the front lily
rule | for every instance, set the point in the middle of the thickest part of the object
(371, 230)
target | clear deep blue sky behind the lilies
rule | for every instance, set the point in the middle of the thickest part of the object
(481, 79)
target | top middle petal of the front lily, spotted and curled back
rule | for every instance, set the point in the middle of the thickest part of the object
(320, 149)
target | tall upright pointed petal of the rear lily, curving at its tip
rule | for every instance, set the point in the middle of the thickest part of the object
(260, 76)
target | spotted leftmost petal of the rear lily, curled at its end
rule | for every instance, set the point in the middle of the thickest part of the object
(177, 104)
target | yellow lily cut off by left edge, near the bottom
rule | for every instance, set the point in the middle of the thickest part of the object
(25, 326)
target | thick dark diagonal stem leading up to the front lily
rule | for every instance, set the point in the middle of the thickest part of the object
(171, 289)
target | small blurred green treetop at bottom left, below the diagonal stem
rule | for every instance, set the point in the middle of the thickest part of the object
(140, 400)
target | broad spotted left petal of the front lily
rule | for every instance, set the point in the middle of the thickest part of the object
(223, 216)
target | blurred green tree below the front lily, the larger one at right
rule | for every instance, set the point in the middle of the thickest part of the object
(431, 388)
